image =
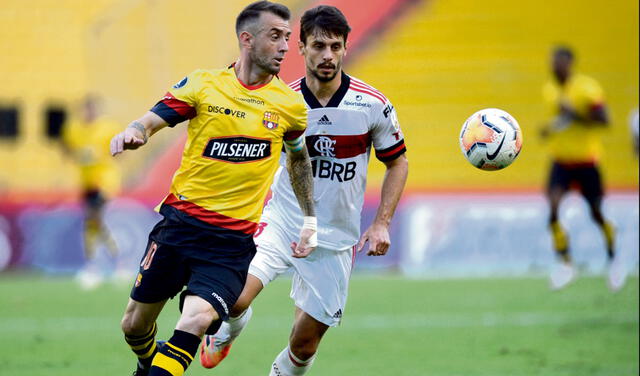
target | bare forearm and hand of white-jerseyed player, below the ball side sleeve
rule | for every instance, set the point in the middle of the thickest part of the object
(378, 233)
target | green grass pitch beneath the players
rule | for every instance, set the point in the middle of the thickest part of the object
(393, 326)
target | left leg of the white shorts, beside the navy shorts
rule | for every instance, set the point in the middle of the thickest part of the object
(273, 253)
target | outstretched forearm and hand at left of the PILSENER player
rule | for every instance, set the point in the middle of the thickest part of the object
(137, 133)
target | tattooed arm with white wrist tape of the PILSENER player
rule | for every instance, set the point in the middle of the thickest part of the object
(301, 175)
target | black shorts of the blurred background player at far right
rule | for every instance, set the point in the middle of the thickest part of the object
(586, 178)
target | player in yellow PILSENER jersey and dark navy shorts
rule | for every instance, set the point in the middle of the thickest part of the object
(240, 119)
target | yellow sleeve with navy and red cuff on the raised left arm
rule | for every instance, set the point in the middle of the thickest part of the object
(180, 101)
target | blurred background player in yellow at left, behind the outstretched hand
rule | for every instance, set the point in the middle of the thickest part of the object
(85, 140)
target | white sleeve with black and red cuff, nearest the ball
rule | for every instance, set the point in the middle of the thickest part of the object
(386, 134)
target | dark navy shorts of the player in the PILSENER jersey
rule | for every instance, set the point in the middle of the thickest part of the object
(211, 262)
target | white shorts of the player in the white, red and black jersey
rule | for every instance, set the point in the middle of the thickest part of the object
(320, 281)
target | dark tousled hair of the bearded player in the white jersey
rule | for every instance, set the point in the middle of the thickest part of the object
(327, 20)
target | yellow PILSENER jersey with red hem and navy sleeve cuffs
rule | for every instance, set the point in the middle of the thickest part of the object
(235, 136)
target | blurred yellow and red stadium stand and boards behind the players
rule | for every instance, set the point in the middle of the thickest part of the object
(437, 60)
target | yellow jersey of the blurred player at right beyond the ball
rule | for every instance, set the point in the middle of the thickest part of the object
(578, 142)
